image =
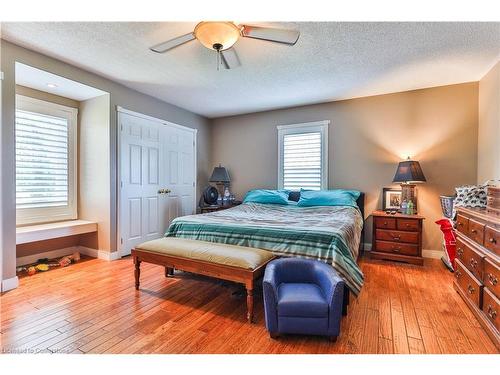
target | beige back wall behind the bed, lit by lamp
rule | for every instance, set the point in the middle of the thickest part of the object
(367, 138)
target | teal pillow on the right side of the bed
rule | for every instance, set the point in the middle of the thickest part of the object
(337, 197)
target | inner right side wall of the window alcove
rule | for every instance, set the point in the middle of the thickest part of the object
(94, 167)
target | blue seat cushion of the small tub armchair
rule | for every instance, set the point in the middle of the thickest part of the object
(301, 300)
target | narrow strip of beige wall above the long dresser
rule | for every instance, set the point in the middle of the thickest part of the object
(488, 166)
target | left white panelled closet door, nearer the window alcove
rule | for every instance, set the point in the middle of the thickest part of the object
(141, 156)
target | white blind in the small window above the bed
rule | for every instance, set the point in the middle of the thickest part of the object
(302, 161)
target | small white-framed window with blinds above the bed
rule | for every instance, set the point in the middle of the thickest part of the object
(302, 156)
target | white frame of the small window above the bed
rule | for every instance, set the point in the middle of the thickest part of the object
(303, 128)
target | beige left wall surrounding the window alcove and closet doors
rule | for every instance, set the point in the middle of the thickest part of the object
(119, 95)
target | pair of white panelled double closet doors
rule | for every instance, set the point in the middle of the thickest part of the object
(154, 156)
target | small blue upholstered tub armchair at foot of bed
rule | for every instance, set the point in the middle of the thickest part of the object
(302, 296)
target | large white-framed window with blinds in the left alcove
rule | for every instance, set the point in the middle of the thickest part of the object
(45, 165)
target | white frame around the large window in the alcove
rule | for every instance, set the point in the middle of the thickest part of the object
(38, 215)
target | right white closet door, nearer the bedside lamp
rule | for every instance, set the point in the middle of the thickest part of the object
(179, 159)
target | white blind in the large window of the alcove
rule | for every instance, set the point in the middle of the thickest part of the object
(41, 160)
